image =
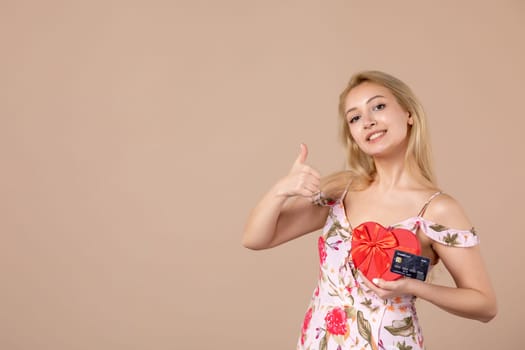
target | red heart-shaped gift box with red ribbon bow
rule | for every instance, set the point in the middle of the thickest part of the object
(373, 248)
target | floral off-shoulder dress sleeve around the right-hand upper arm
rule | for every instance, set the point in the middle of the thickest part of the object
(449, 236)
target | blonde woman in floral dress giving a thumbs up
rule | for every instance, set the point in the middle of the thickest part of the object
(389, 180)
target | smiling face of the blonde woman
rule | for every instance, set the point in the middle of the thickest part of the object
(377, 123)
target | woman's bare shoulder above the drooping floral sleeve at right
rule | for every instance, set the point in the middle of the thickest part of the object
(447, 211)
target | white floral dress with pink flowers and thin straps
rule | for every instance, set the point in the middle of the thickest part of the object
(343, 313)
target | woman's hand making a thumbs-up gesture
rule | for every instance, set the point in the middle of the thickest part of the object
(302, 180)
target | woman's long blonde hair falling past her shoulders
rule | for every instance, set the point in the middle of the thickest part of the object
(361, 168)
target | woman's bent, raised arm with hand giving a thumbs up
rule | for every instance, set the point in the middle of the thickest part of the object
(286, 212)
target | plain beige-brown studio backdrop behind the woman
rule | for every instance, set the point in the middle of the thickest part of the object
(136, 136)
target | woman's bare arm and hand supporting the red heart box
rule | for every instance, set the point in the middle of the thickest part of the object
(473, 297)
